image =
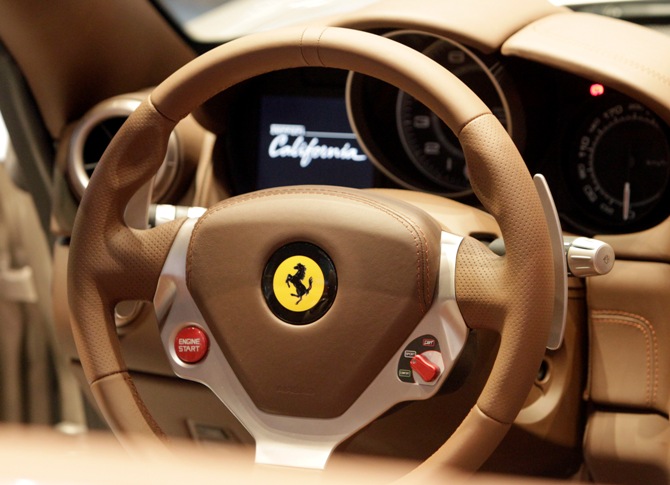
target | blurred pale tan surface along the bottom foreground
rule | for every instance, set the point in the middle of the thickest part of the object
(49, 456)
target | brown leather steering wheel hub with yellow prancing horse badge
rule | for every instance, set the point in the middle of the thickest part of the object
(316, 370)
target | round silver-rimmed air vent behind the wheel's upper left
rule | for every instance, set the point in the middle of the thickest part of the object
(92, 136)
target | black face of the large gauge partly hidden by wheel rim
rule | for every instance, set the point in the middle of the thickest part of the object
(429, 143)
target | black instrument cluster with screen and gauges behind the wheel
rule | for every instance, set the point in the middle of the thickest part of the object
(605, 155)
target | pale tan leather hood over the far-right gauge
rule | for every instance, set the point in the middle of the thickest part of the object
(610, 51)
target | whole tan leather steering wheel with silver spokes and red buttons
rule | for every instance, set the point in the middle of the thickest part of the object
(311, 310)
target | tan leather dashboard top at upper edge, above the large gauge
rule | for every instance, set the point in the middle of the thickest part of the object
(483, 24)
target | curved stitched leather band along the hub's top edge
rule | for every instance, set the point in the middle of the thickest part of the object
(409, 225)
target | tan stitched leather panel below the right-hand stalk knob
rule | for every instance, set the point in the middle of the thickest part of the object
(628, 310)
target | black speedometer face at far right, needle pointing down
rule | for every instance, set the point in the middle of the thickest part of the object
(622, 165)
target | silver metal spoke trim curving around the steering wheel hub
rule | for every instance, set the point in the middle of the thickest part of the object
(304, 442)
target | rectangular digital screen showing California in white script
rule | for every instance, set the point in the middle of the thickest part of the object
(308, 140)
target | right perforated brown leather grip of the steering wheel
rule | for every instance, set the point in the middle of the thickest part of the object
(513, 294)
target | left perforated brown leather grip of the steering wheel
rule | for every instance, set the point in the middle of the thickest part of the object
(108, 261)
